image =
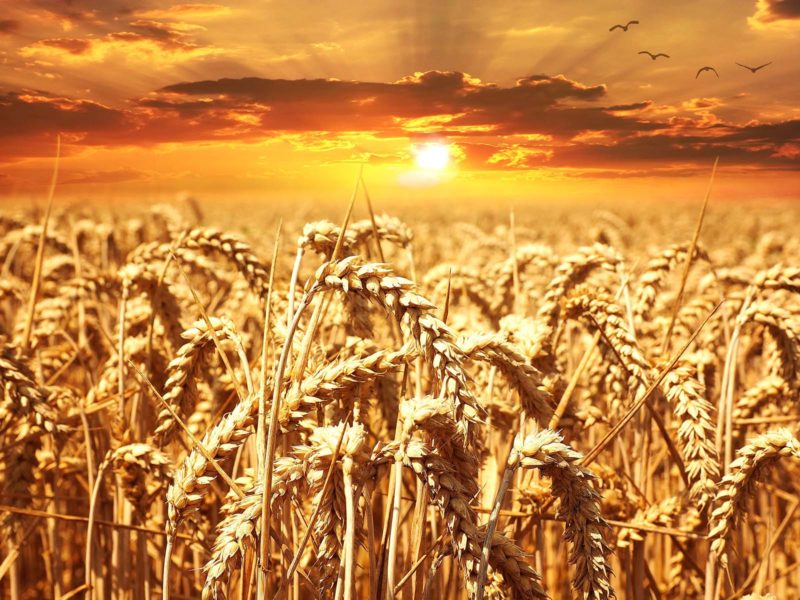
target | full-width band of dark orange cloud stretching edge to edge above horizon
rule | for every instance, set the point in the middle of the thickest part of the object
(537, 122)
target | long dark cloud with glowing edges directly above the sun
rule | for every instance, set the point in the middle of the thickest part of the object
(536, 104)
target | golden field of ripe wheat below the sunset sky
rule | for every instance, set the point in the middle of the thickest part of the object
(345, 410)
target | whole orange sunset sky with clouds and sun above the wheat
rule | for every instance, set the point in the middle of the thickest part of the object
(442, 99)
